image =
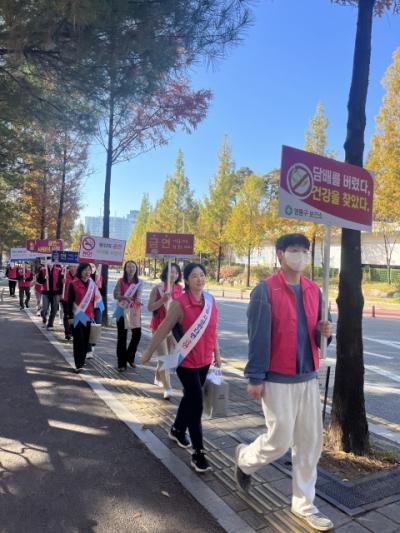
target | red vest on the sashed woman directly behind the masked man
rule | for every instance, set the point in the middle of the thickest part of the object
(202, 353)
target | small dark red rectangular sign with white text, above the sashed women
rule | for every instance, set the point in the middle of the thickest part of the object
(169, 245)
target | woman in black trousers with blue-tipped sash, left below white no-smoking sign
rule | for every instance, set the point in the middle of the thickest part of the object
(80, 310)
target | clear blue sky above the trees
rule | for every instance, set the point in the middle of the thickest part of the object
(296, 53)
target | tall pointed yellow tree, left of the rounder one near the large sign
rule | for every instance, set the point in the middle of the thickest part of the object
(215, 211)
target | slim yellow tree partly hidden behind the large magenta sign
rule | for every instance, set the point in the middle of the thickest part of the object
(315, 142)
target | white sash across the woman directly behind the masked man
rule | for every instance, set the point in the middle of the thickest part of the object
(191, 337)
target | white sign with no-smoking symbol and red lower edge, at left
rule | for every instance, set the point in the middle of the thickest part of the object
(101, 250)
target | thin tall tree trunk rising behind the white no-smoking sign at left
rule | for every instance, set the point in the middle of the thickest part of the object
(107, 194)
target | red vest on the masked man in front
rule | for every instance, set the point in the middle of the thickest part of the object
(284, 322)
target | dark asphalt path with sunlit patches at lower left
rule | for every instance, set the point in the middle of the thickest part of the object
(67, 464)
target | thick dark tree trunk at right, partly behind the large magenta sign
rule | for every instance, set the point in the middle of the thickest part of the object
(349, 427)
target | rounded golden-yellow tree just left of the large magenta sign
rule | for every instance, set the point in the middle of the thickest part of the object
(245, 228)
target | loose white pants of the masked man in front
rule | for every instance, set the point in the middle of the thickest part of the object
(294, 420)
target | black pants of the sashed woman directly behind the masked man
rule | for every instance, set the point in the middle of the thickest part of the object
(191, 407)
